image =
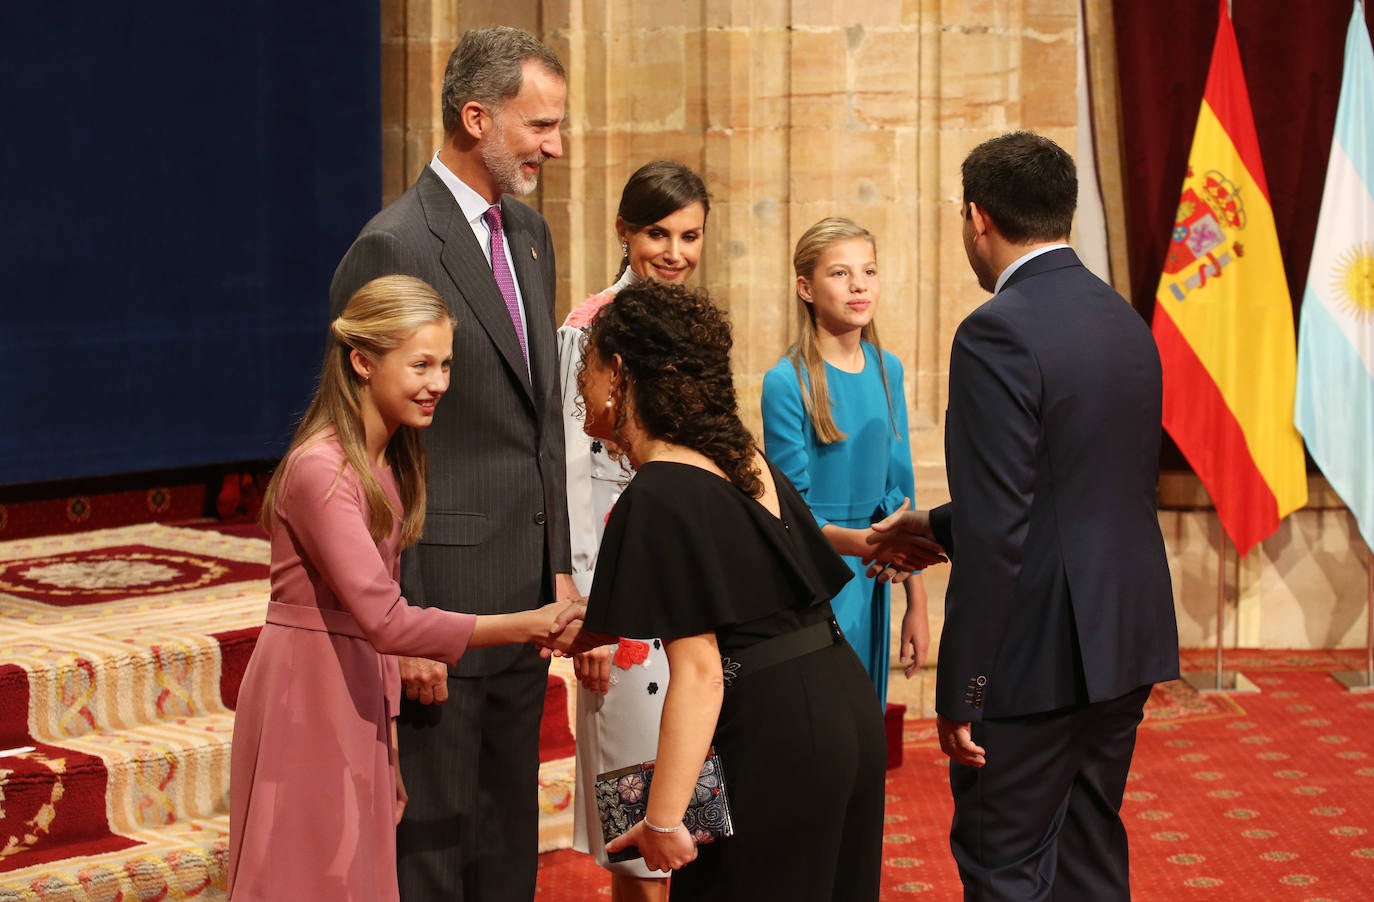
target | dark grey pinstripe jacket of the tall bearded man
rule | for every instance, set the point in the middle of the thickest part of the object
(497, 525)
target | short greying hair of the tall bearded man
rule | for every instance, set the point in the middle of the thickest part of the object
(488, 67)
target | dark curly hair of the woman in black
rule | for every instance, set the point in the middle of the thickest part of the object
(674, 344)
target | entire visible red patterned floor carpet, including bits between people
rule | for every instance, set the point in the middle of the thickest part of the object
(1240, 798)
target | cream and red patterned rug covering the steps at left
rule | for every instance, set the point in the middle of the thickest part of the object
(122, 655)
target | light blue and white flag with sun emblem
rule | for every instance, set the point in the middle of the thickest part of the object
(1335, 408)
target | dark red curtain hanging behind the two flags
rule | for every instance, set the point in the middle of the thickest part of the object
(1292, 54)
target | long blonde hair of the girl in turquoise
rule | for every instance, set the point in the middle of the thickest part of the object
(806, 353)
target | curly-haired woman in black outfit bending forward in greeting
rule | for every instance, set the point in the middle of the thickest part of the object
(714, 551)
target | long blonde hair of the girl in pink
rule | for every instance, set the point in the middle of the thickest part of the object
(379, 318)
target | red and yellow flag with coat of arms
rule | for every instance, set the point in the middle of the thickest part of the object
(1224, 320)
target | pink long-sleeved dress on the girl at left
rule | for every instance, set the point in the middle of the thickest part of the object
(313, 793)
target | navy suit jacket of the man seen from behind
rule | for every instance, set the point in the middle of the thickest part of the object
(1060, 592)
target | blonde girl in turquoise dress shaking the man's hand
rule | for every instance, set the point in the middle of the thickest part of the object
(836, 426)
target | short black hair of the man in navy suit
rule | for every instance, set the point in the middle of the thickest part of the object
(1027, 184)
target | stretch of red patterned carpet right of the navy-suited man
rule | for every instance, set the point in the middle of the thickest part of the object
(1269, 798)
